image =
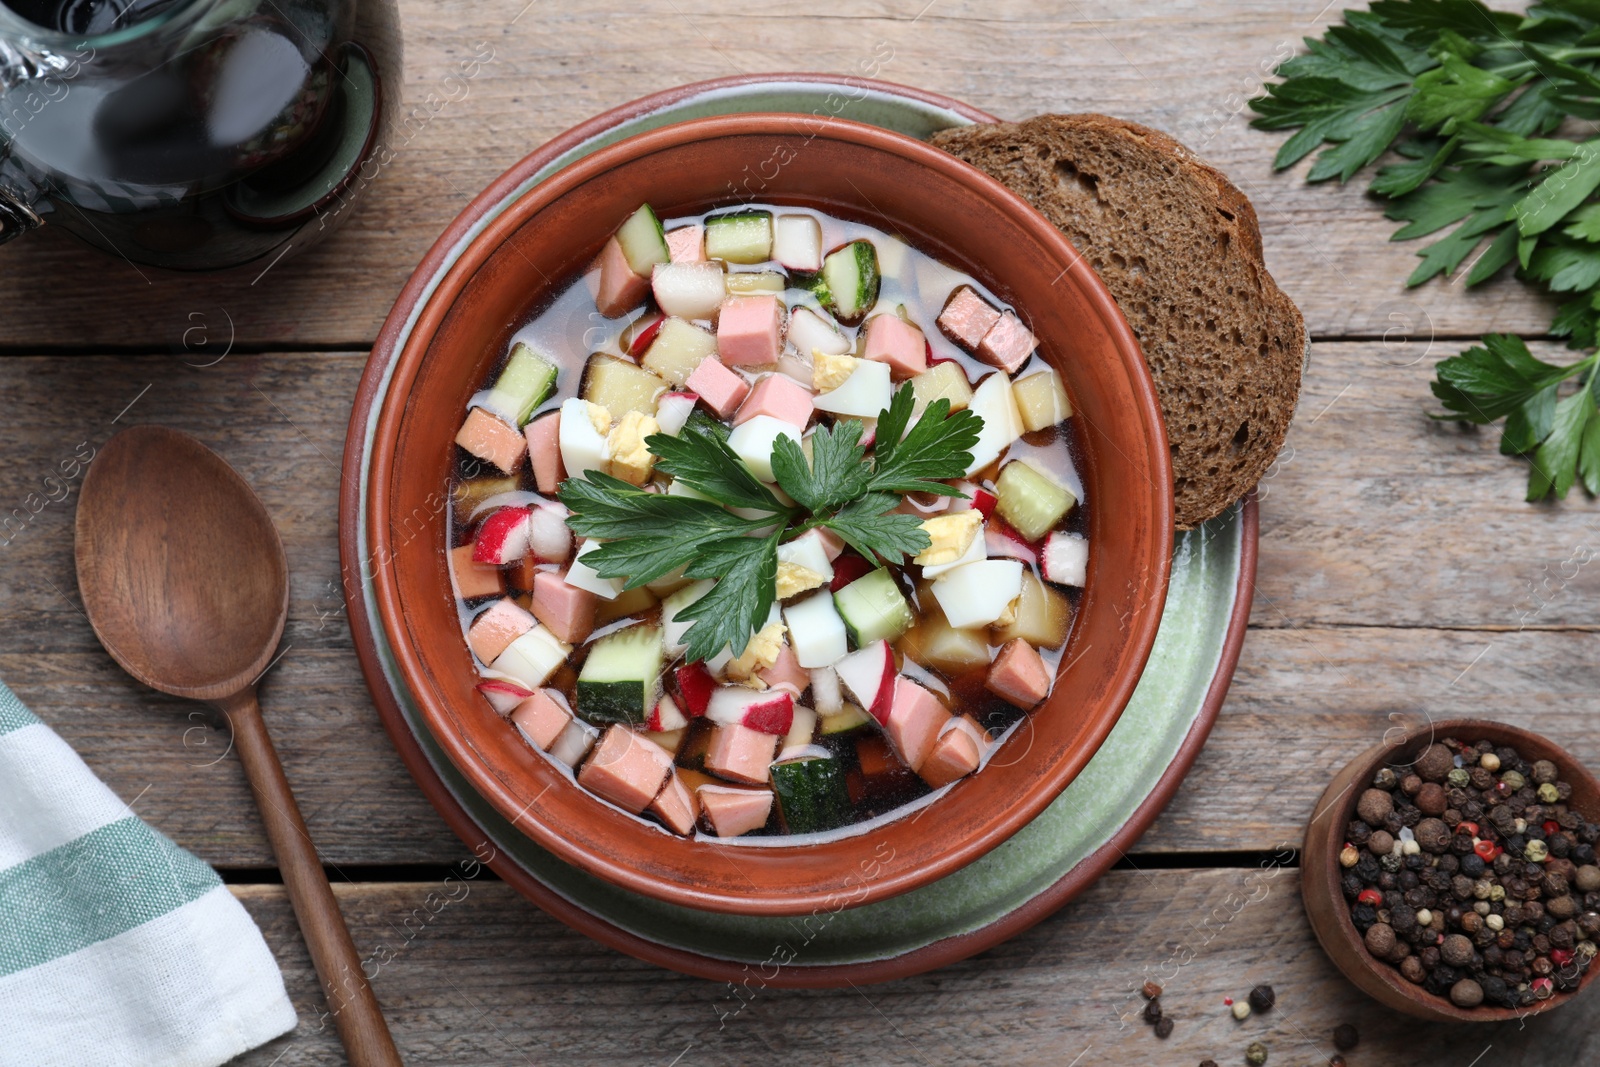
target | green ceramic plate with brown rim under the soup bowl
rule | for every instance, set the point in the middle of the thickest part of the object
(1063, 850)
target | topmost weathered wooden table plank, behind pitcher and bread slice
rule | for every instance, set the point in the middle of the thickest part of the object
(1182, 68)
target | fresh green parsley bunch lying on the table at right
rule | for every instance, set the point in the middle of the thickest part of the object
(1473, 102)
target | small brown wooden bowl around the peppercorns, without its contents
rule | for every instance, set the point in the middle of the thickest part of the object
(1321, 871)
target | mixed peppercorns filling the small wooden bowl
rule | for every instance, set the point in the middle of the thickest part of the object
(1470, 873)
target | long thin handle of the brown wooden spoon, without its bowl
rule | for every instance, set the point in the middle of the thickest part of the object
(351, 1001)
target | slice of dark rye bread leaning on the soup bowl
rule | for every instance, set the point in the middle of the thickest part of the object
(1180, 250)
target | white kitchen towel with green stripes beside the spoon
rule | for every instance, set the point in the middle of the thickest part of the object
(118, 948)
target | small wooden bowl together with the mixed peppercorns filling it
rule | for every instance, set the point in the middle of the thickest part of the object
(1452, 874)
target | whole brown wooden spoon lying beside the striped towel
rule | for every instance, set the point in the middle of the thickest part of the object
(185, 581)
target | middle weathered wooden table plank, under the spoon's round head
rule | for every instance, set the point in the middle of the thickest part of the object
(1380, 524)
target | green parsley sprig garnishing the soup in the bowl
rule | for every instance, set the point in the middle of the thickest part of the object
(734, 533)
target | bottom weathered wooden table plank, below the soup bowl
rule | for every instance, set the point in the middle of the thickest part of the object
(489, 980)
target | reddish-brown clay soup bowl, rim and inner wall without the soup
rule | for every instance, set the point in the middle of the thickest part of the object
(940, 206)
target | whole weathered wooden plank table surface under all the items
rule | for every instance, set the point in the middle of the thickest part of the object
(1401, 575)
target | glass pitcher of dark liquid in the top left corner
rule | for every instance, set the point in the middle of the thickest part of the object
(193, 135)
